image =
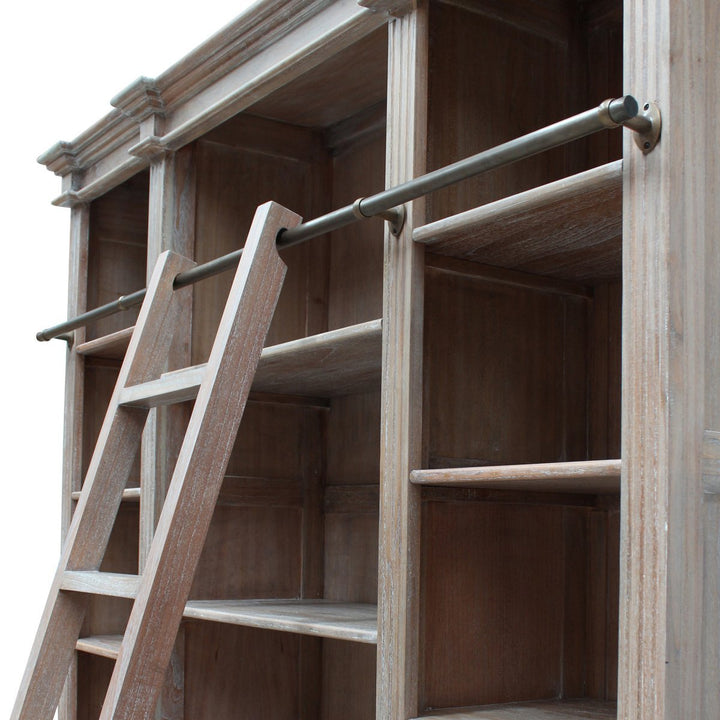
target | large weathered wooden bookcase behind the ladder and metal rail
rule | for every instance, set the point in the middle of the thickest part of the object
(478, 473)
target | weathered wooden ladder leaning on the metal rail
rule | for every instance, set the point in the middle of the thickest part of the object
(162, 590)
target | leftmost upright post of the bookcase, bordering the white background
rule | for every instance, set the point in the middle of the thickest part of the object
(74, 394)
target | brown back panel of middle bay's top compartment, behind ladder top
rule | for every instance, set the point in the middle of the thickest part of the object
(231, 184)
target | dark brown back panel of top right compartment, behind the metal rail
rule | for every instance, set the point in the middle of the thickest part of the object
(471, 111)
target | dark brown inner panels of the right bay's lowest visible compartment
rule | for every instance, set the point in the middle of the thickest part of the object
(517, 603)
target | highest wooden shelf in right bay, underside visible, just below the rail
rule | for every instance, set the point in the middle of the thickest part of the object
(570, 229)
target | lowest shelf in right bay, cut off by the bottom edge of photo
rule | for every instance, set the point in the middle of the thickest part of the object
(543, 710)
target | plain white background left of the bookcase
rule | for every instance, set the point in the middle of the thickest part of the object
(61, 62)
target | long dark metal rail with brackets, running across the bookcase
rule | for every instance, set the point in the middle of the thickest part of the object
(389, 203)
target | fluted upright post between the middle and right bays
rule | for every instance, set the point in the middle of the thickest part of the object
(401, 422)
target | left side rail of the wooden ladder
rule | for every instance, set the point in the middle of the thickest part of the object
(94, 516)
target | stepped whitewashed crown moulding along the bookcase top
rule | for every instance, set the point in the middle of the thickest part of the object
(264, 49)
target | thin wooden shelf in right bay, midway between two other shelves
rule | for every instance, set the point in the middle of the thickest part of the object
(589, 476)
